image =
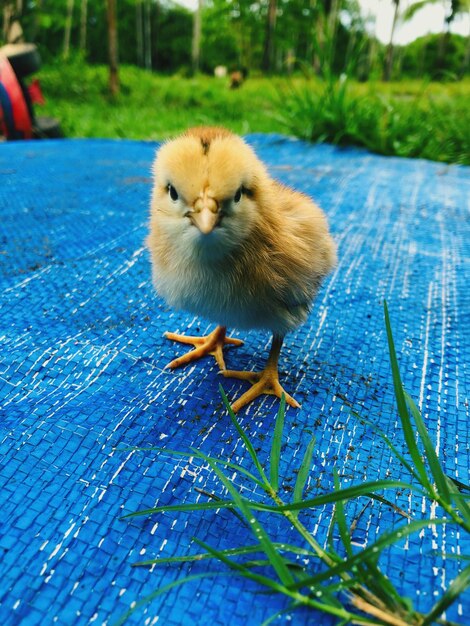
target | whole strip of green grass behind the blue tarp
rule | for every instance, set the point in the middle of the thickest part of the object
(410, 118)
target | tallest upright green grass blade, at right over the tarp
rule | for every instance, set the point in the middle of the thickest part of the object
(403, 408)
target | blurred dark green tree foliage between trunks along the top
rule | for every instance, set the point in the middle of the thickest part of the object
(233, 34)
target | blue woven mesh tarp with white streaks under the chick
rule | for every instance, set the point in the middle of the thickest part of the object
(82, 380)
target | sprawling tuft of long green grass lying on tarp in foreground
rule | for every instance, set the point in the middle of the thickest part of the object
(348, 583)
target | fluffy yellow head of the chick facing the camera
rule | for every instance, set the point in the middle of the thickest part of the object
(205, 192)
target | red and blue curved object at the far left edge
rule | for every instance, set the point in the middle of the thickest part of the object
(15, 120)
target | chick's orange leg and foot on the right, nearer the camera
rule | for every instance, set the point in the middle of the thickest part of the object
(265, 382)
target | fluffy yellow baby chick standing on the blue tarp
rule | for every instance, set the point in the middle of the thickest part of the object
(233, 245)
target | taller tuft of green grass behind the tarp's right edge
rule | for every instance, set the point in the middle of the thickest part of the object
(426, 122)
